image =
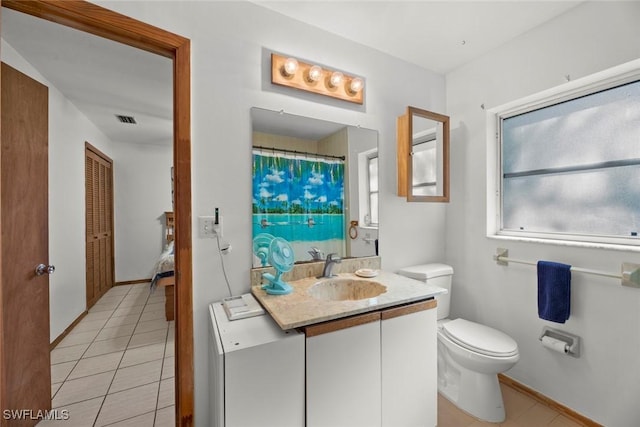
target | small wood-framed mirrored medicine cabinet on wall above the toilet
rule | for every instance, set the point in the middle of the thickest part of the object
(423, 156)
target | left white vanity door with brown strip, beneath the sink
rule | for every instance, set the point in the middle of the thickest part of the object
(343, 372)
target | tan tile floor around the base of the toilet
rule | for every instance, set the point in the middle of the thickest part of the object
(522, 411)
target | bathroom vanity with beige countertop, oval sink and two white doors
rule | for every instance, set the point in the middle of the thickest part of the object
(370, 354)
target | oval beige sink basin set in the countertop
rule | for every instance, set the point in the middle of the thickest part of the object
(343, 289)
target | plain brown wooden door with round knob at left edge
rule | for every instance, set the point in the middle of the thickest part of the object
(25, 375)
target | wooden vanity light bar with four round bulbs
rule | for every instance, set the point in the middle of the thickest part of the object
(291, 72)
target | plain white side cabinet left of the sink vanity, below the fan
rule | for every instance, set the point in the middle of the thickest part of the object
(256, 372)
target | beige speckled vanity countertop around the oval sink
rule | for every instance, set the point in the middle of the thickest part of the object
(299, 308)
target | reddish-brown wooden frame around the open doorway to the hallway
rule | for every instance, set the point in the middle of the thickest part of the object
(102, 22)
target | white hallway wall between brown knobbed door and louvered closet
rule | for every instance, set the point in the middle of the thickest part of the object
(68, 131)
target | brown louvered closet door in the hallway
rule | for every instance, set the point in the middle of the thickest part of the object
(99, 223)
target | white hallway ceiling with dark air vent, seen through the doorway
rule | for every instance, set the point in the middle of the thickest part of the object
(100, 77)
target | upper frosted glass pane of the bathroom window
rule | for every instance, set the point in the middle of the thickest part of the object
(595, 128)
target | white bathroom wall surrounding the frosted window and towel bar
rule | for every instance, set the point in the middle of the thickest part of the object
(603, 383)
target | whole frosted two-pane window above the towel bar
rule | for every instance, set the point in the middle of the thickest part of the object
(569, 167)
